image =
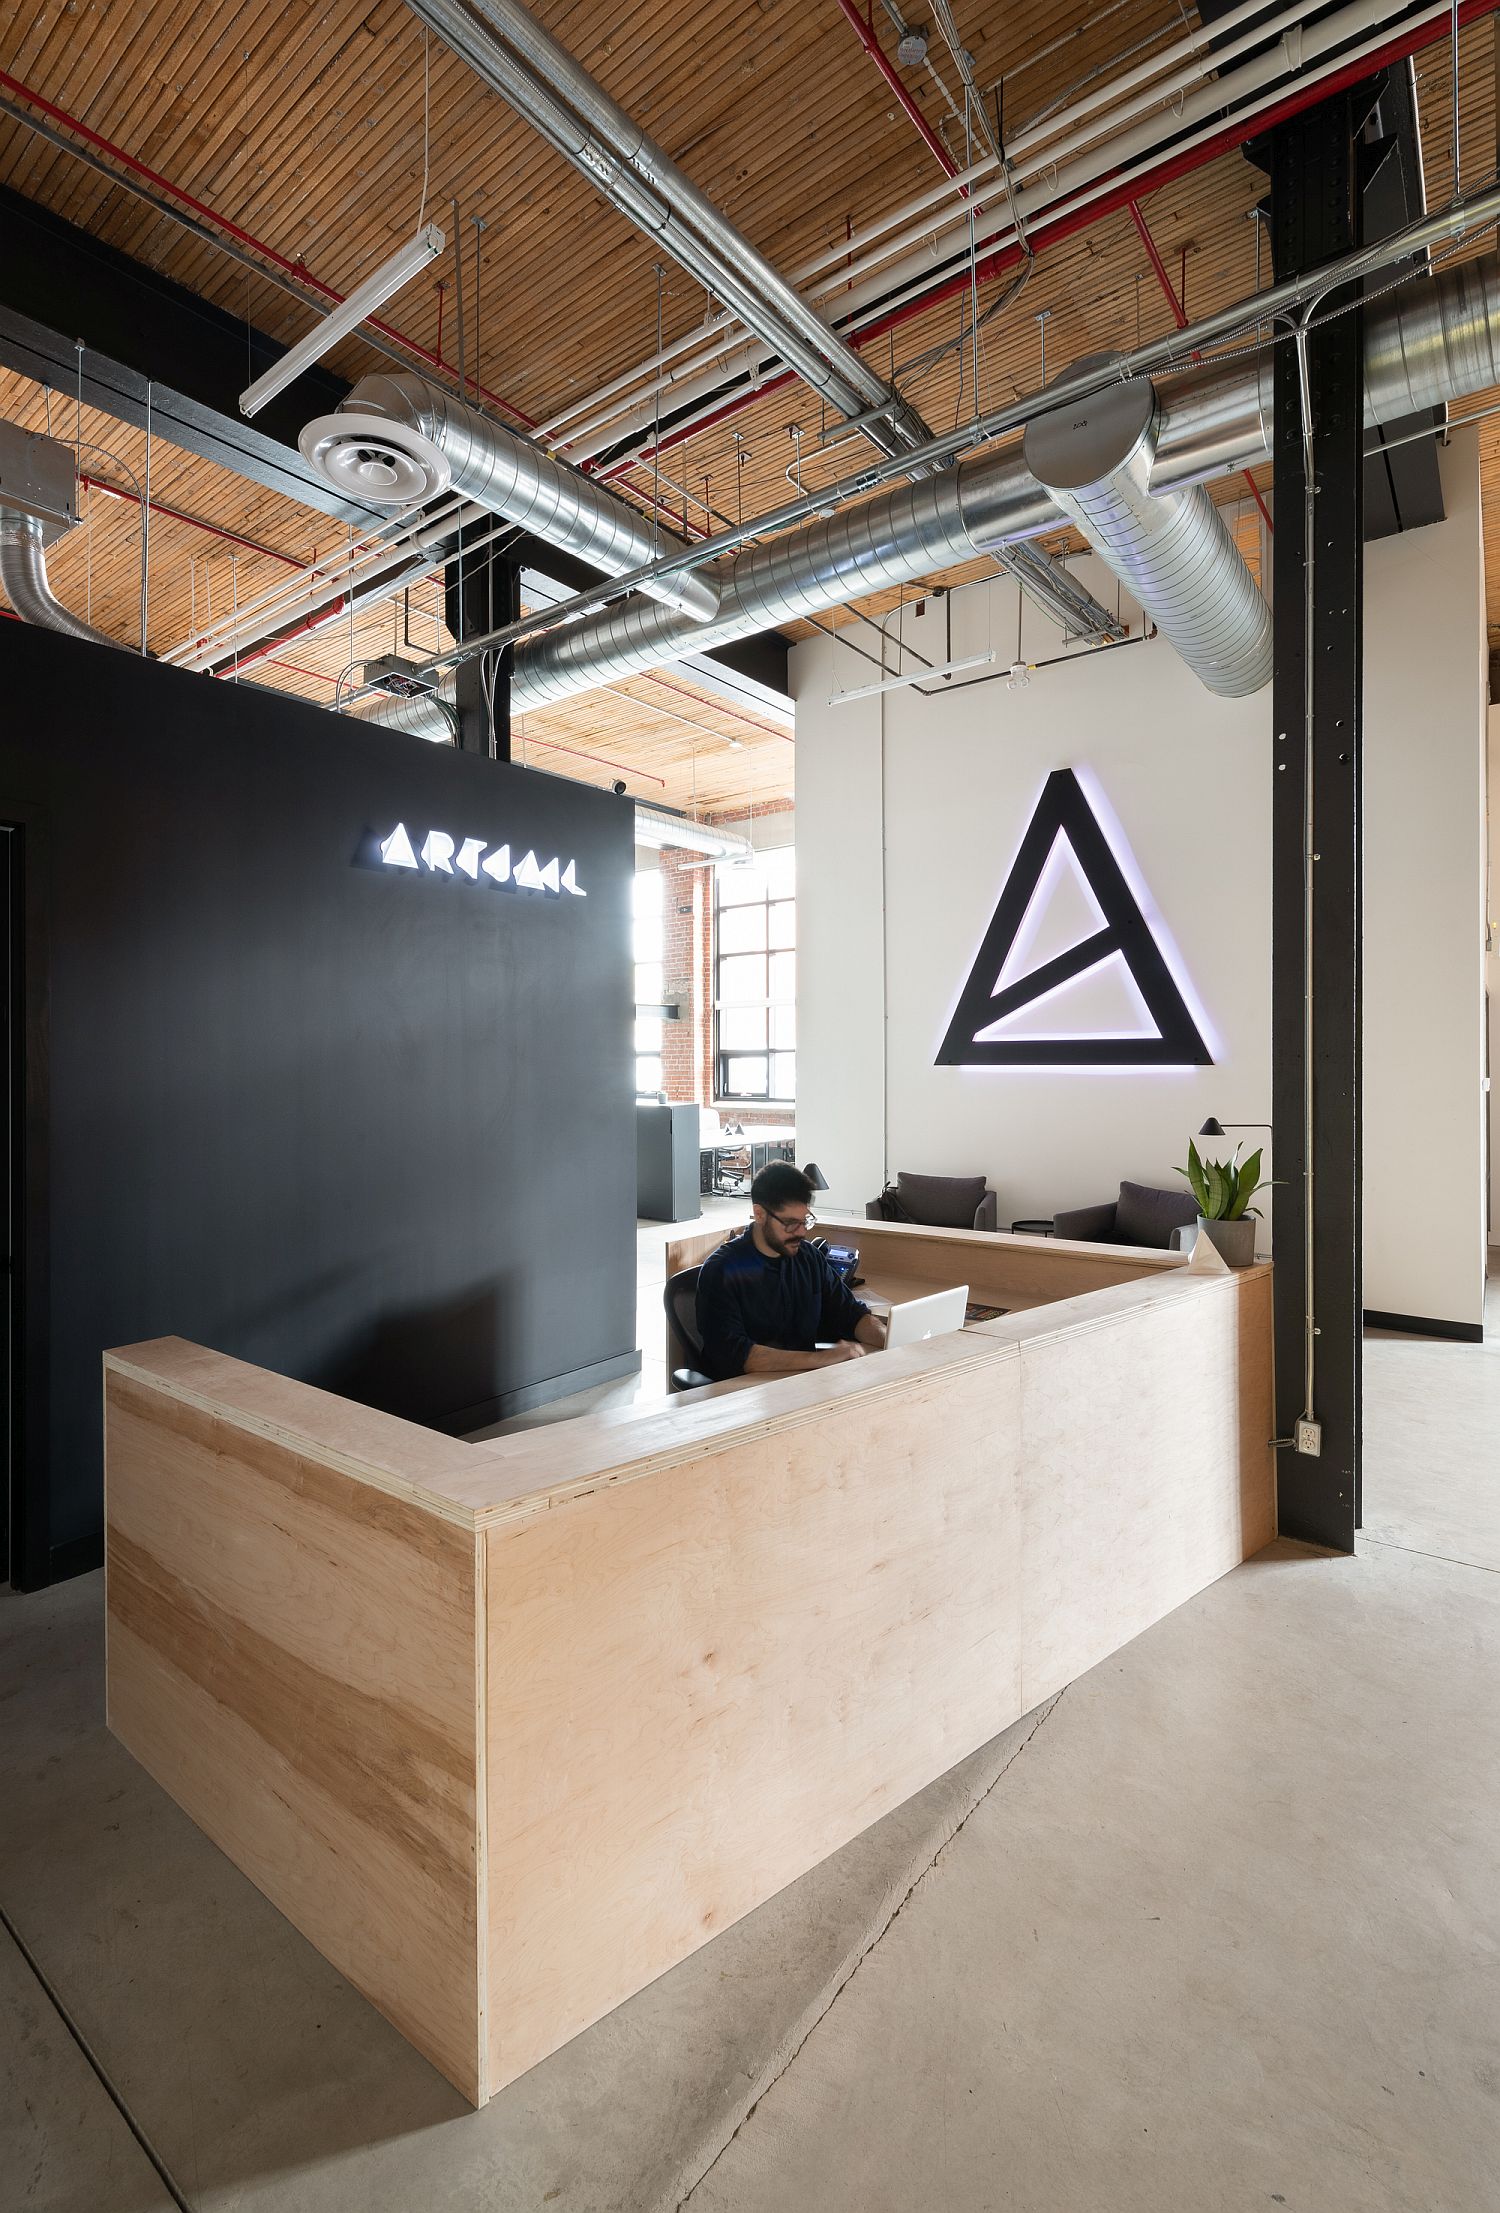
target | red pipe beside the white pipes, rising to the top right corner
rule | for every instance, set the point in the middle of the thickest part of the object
(1070, 225)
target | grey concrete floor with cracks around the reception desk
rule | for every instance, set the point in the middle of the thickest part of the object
(1220, 1929)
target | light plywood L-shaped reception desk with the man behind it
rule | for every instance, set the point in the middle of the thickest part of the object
(508, 1729)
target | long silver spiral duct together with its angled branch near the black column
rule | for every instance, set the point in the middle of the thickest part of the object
(1433, 342)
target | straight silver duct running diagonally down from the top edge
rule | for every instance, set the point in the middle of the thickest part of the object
(576, 116)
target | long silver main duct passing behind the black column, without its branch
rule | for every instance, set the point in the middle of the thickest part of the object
(1426, 344)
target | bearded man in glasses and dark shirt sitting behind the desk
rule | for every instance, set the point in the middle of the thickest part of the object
(767, 1300)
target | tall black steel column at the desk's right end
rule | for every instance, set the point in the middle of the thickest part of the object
(1317, 880)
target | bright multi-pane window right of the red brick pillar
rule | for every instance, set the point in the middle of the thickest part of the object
(756, 979)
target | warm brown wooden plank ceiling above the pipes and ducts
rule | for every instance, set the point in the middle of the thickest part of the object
(324, 134)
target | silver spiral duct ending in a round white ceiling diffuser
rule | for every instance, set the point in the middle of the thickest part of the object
(399, 439)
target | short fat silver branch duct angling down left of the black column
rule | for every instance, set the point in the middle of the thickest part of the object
(1174, 552)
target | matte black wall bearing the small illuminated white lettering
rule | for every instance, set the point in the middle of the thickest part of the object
(366, 1128)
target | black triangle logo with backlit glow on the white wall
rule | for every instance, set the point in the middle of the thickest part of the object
(1105, 997)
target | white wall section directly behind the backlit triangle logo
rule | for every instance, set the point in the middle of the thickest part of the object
(961, 780)
